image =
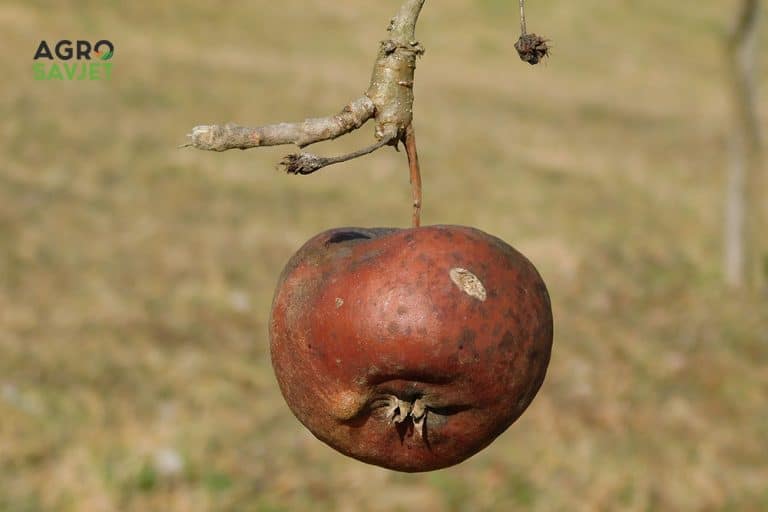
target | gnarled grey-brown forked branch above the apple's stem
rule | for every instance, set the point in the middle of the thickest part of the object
(388, 100)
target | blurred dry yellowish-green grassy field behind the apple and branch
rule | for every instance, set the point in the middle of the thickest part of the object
(136, 278)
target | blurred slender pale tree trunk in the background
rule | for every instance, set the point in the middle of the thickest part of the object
(746, 253)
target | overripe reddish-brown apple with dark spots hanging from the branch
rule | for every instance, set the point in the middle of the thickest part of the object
(364, 315)
